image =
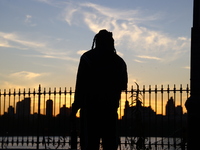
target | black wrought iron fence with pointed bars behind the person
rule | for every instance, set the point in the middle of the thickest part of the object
(149, 118)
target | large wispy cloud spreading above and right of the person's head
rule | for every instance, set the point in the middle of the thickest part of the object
(129, 30)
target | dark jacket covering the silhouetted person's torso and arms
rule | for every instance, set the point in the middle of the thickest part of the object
(100, 79)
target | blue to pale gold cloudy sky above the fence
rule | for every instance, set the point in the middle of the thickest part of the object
(41, 41)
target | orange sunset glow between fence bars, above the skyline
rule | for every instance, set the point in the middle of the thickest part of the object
(155, 97)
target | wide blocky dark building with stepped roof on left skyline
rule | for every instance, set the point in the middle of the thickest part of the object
(23, 107)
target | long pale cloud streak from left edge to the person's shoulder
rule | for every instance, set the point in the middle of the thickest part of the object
(43, 47)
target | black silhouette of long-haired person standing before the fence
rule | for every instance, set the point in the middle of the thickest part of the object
(101, 77)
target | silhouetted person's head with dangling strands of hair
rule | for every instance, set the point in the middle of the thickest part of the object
(104, 40)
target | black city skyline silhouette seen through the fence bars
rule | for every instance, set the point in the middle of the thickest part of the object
(136, 118)
